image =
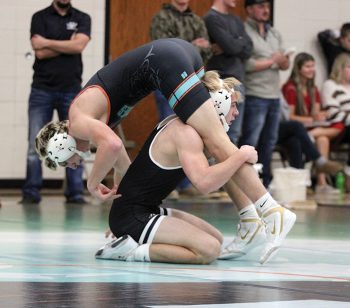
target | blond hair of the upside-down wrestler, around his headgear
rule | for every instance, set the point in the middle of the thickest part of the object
(43, 137)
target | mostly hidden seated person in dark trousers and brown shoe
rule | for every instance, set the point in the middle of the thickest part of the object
(293, 136)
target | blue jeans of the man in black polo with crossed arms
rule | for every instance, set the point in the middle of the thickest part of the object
(42, 104)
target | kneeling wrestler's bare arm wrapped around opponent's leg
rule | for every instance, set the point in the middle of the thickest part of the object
(195, 164)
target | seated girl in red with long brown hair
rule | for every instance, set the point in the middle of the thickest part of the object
(304, 102)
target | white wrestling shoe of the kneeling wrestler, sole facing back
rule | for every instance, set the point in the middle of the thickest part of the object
(119, 249)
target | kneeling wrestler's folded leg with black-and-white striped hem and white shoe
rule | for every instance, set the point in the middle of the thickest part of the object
(160, 235)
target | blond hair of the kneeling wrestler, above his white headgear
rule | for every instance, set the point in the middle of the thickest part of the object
(212, 82)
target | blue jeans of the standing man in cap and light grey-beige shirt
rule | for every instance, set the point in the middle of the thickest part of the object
(260, 129)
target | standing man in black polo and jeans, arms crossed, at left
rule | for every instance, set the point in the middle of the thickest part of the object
(59, 34)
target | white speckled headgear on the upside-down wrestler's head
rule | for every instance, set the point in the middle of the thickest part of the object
(62, 147)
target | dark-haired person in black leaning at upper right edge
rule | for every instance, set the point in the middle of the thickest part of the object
(334, 42)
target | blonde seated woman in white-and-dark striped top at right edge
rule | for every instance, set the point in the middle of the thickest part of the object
(336, 99)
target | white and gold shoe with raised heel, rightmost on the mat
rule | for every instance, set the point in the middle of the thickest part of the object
(278, 222)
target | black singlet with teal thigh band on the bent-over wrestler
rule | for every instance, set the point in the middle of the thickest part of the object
(172, 66)
